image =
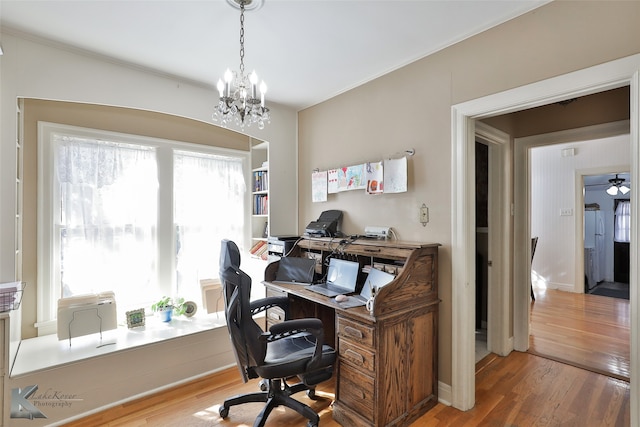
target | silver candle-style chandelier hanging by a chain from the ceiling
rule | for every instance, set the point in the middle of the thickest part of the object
(239, 101)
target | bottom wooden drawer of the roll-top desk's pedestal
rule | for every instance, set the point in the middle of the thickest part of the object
(356, 391)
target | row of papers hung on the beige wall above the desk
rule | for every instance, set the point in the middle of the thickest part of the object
(386, 176)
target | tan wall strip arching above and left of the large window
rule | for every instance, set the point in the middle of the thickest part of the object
(114, 119)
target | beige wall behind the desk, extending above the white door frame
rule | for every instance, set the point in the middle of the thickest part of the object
(411, 107)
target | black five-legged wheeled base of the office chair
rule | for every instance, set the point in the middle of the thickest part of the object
(275, 395)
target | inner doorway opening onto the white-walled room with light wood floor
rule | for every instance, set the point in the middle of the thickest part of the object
(567, 205)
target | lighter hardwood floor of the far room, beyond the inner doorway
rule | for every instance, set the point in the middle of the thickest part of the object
(588, 331)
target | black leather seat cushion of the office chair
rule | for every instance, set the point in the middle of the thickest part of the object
(290, 356)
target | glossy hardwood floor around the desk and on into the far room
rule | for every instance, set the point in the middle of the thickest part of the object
(521, 389)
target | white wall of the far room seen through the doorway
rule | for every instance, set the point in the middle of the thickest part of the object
(554, 185)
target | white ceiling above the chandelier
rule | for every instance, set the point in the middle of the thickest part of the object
(307, 51)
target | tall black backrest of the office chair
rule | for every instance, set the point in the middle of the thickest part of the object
(244, 332)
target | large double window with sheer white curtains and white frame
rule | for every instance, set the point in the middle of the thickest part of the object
(138, 216)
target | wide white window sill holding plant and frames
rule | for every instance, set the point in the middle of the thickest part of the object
(45, 352)
